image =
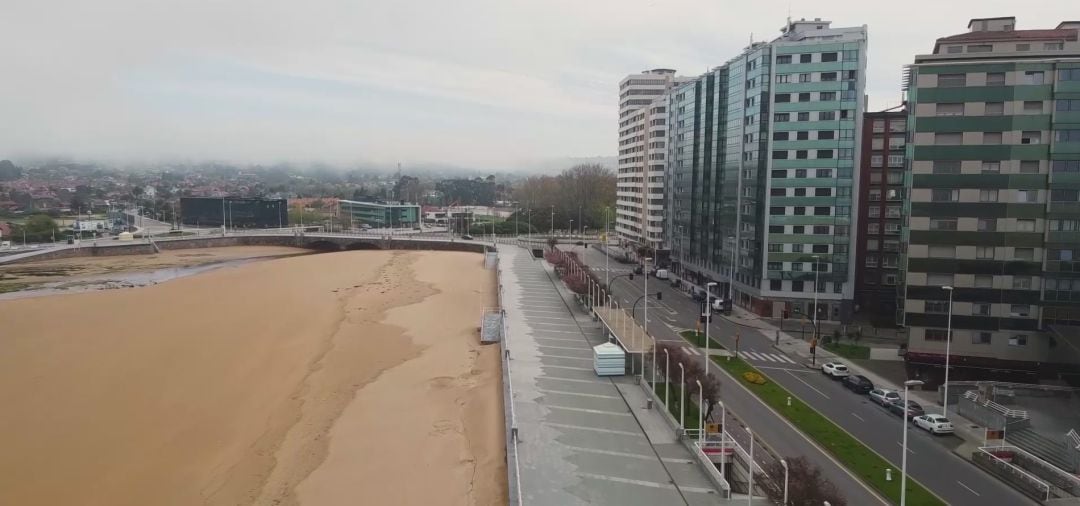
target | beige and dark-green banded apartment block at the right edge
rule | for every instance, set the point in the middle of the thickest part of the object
(994, 218)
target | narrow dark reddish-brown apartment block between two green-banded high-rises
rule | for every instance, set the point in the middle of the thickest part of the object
(882, 195)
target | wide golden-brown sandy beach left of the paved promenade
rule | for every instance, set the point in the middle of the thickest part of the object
(349, 378)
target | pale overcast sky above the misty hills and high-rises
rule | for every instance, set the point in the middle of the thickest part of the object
(481, 84)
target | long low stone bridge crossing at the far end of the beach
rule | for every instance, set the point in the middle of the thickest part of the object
(316, 242)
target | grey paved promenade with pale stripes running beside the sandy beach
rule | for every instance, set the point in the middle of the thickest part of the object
(583, 441)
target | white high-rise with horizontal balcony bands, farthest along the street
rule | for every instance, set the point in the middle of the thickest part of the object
(643, 139)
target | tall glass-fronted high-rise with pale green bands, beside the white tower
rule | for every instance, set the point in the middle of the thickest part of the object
(763, 169)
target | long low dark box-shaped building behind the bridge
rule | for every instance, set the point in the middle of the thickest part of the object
(235, 213)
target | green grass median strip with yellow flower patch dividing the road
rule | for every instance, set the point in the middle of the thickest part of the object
(853, 454)
